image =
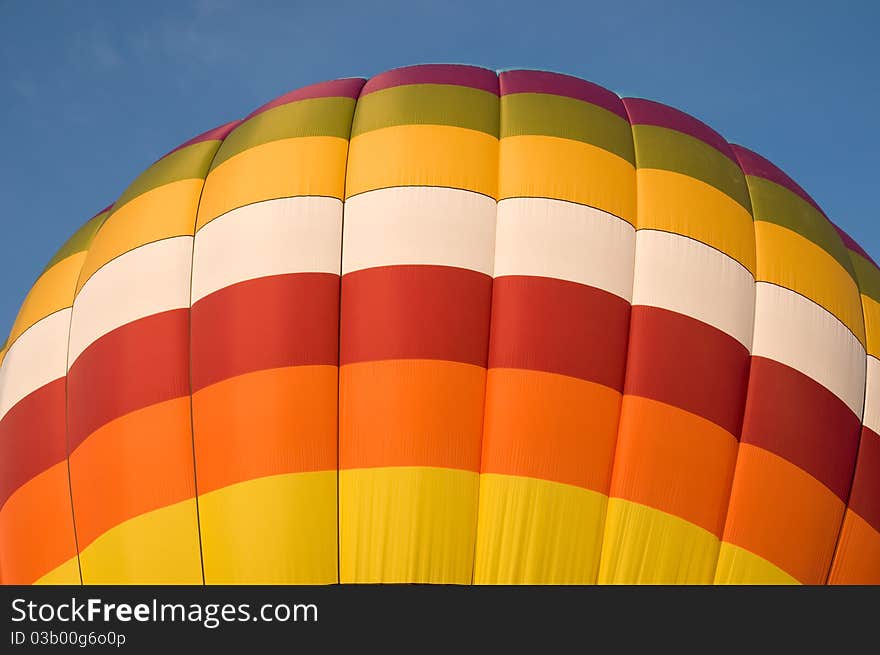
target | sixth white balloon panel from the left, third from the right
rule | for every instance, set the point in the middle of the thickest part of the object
(691, 278)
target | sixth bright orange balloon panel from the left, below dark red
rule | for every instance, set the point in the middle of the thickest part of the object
(674, 461)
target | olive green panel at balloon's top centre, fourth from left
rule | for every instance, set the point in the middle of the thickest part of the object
(427, 104)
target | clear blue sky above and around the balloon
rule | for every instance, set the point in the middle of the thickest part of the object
(93, 92)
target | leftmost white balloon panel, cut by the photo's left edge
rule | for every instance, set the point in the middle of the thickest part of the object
(36, 358)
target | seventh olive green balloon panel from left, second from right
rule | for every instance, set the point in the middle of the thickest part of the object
(776, 204)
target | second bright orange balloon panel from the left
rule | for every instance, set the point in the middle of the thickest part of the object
(136, 463)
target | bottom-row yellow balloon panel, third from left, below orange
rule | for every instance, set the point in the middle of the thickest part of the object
(274, 530)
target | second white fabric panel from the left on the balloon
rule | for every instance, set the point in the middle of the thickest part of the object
(147, 280)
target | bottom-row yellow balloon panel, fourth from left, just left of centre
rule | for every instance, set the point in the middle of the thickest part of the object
(407, 524)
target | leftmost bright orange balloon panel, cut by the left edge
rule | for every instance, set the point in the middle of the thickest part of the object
(36, 527)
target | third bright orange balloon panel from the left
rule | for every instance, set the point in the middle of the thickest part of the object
(281, 420)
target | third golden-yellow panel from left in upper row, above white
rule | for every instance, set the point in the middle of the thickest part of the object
(305, 166)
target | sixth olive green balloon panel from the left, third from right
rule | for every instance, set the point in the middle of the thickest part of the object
(671, 150)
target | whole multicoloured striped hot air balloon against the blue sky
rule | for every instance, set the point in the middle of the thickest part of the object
(448, 325)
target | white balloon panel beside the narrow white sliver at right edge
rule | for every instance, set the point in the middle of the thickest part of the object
(799, 333)
